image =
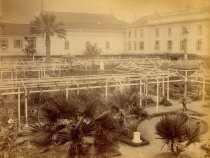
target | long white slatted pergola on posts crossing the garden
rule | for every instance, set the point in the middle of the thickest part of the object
(143, 77)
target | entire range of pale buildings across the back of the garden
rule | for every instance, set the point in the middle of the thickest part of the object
(173, 32)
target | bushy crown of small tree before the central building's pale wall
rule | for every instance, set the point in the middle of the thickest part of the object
(92, 51)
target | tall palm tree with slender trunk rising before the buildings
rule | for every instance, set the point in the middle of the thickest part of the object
(46, 24)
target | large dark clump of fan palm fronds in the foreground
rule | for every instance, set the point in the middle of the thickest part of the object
(76, 123)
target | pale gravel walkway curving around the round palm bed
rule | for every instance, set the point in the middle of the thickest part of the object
(147, 129)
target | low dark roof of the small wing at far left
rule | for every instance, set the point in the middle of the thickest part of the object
(12, 28)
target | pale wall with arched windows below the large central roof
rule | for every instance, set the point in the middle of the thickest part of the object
(77, 42)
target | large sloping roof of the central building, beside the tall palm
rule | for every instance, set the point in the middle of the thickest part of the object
(88, 21)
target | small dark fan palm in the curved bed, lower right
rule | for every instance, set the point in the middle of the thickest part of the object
(178, 131)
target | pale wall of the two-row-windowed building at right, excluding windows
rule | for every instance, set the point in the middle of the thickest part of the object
(149, 37)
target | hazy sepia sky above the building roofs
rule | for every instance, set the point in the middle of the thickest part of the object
(23, 11)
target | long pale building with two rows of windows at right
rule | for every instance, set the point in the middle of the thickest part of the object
(173, 32)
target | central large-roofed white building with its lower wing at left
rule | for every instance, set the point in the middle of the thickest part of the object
(103, 30)
